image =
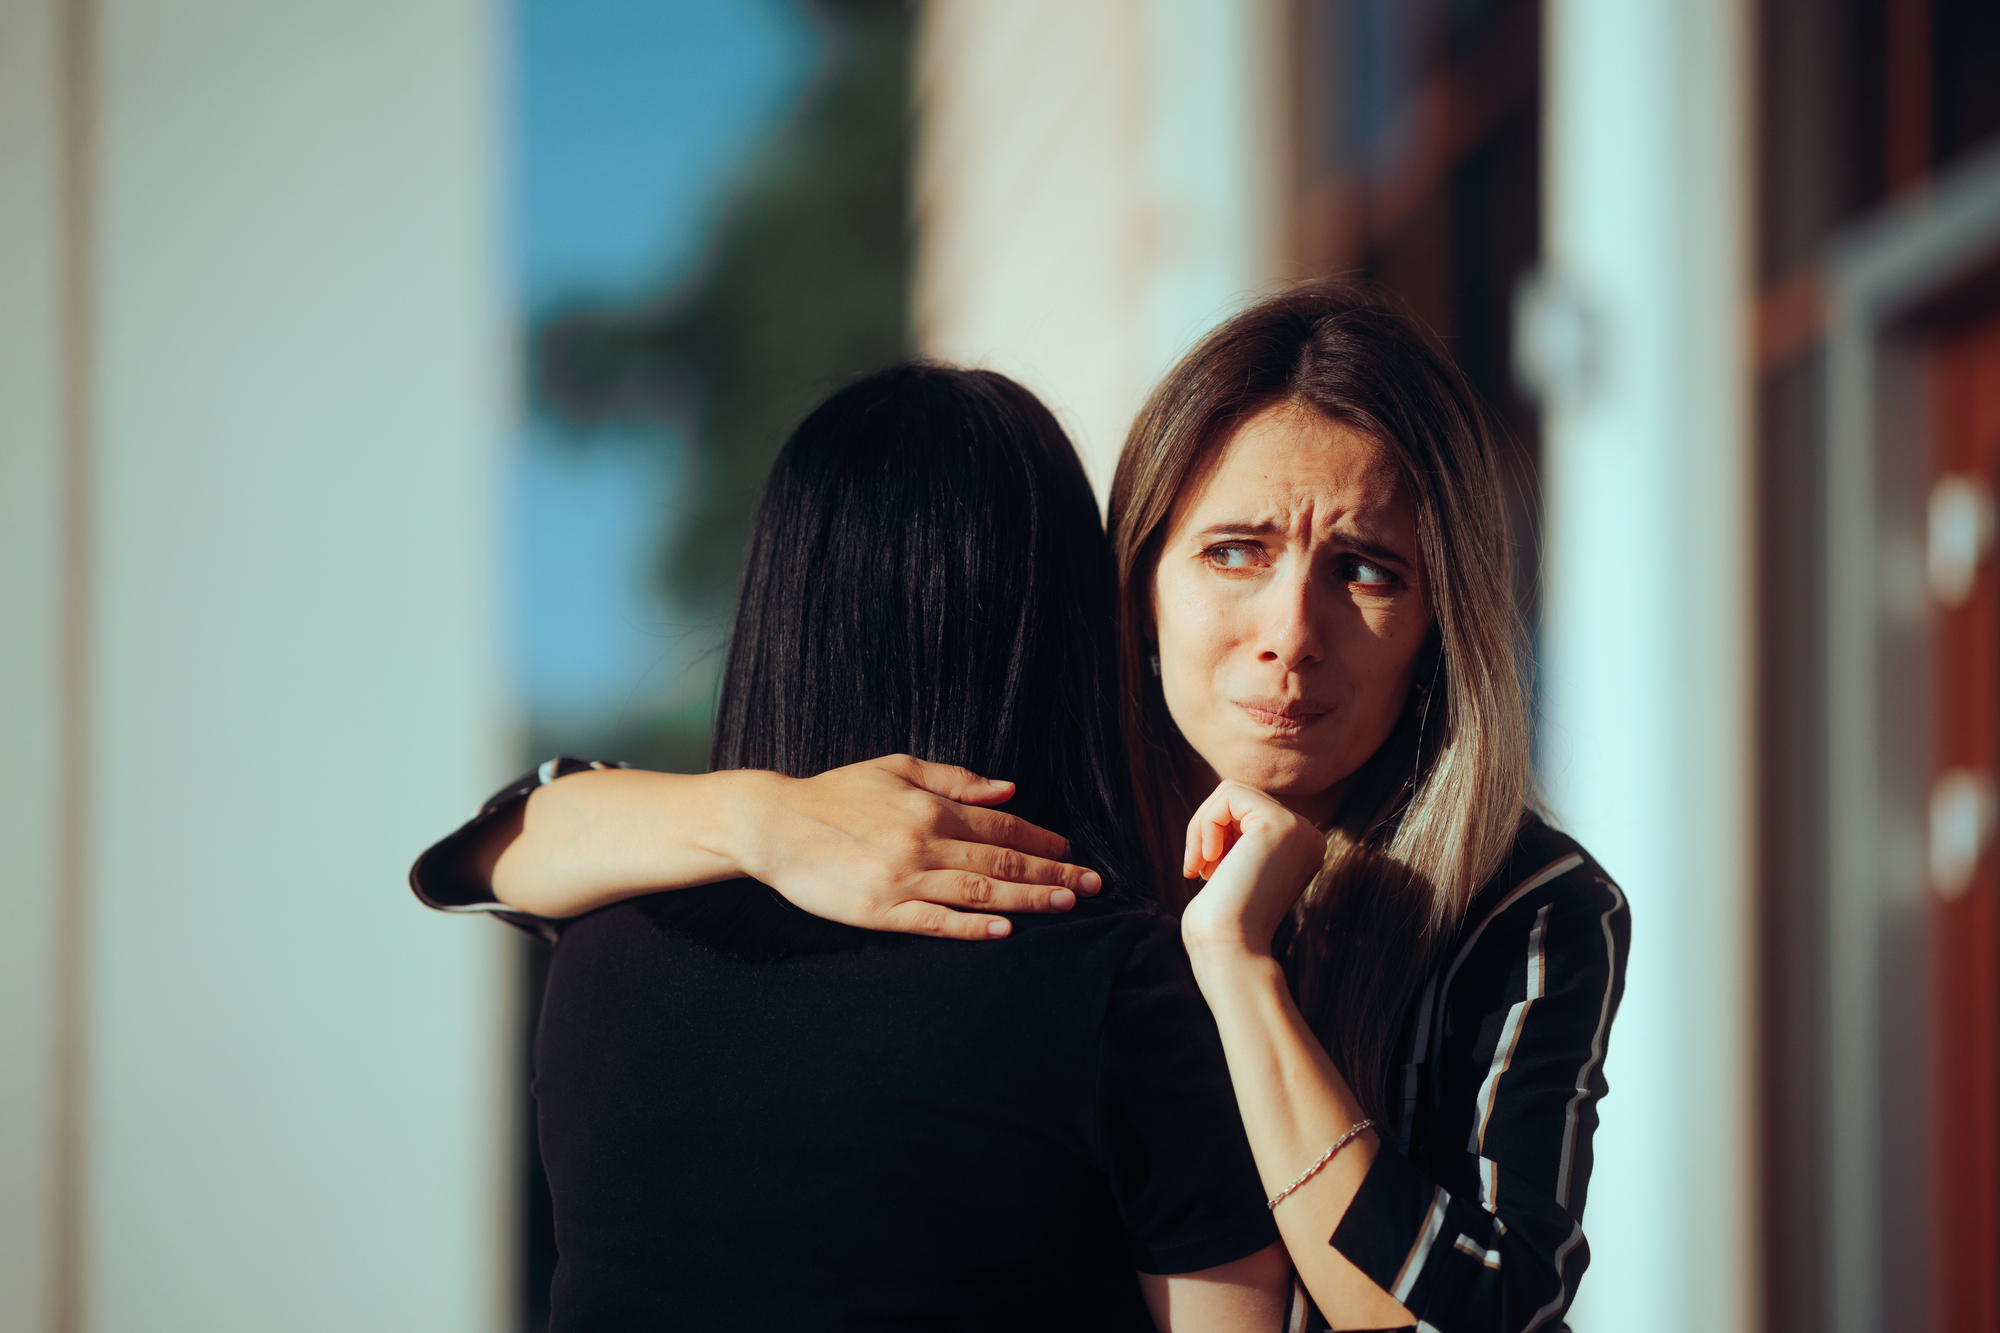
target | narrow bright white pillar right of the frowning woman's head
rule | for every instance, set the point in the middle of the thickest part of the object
(1649, 589)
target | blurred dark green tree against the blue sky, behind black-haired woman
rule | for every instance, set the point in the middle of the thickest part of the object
(805, 289)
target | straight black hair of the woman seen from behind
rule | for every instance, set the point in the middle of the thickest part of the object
(929, 575)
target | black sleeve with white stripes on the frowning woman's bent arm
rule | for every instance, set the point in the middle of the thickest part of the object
(1473, 1218)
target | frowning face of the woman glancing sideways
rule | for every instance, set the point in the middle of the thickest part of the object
(1291, 607)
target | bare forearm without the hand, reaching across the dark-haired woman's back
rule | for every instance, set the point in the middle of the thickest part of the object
(599, 838)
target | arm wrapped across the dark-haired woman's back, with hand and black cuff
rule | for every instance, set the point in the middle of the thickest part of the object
(893, 844)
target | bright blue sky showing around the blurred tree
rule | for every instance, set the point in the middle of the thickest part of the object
(633, 125)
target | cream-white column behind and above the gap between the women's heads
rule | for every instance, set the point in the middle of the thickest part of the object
(1097, 185)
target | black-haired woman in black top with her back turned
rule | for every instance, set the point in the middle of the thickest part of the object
(761, 1120)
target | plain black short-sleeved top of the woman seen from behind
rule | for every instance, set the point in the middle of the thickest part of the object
(881, 1132)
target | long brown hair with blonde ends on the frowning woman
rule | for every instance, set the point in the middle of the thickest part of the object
(1437, 810)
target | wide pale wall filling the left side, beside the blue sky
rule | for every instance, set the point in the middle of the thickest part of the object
(293, 1098)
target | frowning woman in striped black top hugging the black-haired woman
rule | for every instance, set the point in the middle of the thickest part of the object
(1325, 718)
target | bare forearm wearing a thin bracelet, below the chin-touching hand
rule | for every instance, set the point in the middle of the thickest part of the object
(1295, 1104)
